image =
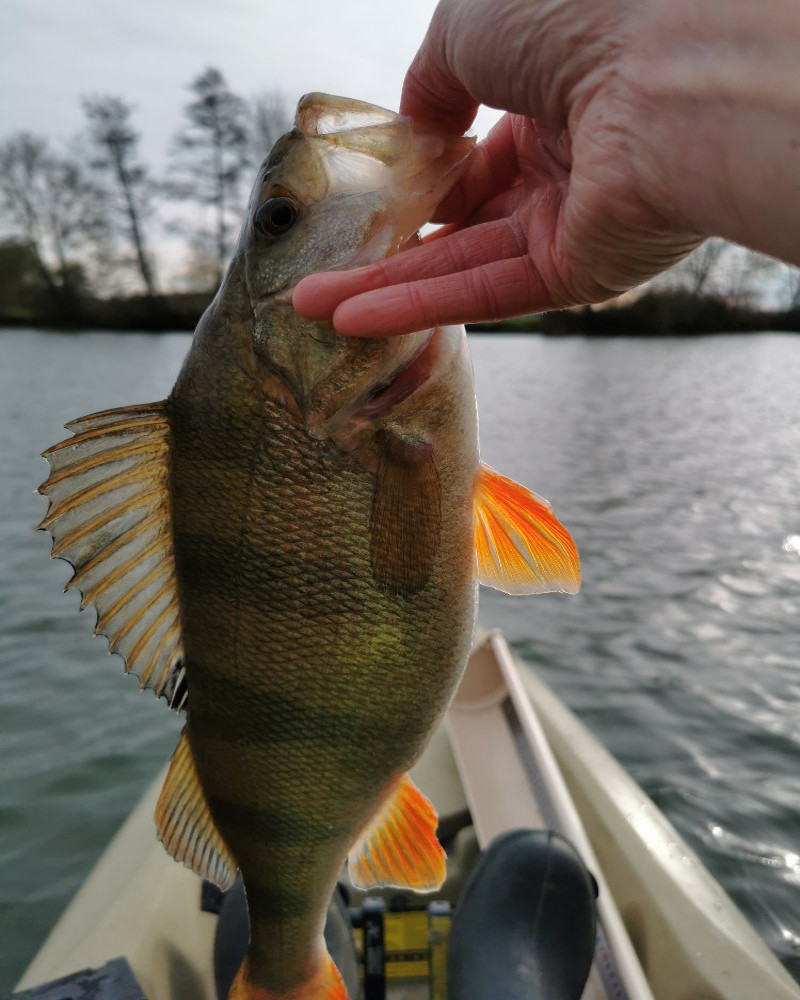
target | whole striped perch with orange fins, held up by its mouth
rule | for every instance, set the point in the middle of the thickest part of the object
(288, 548)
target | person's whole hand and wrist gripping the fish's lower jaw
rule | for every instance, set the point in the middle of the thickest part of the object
(618, 155)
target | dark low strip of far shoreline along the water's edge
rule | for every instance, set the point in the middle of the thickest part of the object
(652, 314)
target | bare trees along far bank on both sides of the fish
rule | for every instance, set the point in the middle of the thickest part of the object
(95, 223)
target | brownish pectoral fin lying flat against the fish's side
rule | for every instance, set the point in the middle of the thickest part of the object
(406, 516)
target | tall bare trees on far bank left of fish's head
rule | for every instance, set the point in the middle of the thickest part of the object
(94, 220)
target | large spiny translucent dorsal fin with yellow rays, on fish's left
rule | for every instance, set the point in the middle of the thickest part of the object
(109, 516)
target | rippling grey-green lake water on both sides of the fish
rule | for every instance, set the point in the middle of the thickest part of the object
(676, 465)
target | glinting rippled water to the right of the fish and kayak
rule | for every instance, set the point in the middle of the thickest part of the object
(675, 465)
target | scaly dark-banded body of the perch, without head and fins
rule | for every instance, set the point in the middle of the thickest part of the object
(310, 687)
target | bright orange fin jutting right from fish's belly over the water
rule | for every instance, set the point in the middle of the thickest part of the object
(521, 547)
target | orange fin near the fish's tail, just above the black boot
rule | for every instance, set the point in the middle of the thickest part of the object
(399, 846)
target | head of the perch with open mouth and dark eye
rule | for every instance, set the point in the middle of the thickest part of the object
(349, 184)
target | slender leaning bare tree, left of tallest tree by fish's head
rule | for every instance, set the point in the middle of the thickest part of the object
(116, 142)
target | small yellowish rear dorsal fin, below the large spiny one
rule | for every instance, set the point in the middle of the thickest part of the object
(184, 824)
